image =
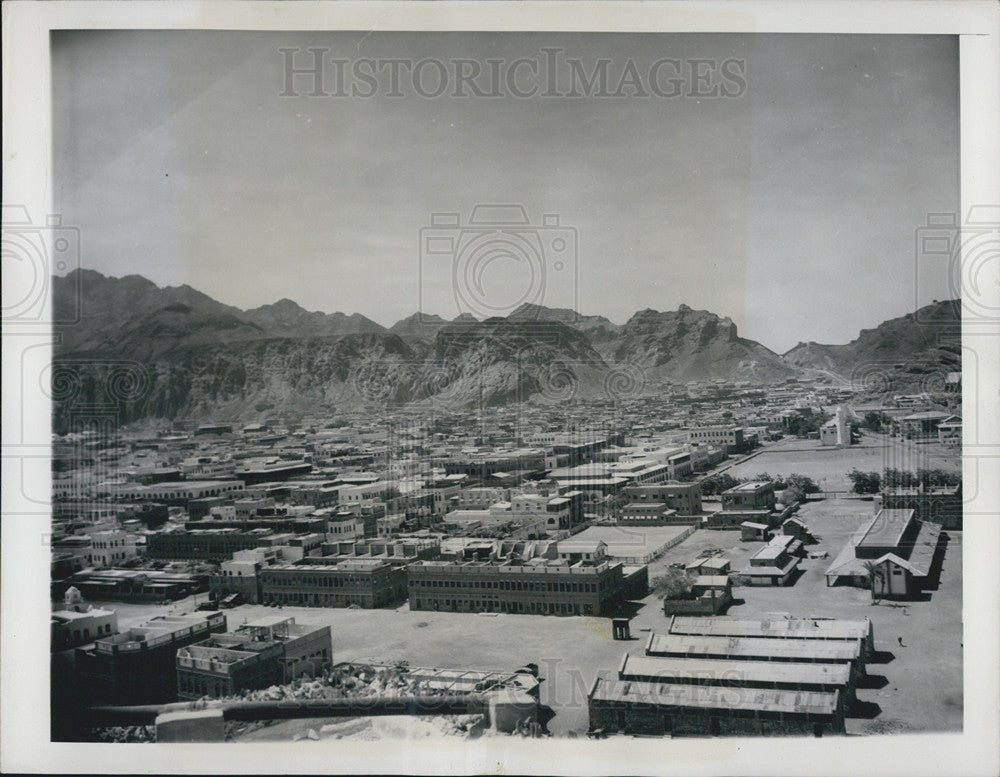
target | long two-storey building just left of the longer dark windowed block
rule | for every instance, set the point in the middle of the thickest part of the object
(322, 582)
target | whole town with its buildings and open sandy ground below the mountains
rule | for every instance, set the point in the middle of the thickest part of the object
(786, 559)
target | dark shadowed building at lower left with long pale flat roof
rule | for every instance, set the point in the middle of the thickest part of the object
(138, 666)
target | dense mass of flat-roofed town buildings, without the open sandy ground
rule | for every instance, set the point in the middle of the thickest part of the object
(523, 512)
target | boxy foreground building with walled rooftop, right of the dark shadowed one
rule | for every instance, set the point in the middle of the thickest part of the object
(270, 651)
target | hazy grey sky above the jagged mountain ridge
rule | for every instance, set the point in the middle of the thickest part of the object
(790, 206)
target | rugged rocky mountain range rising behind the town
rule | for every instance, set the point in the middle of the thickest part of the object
(176, 353)
